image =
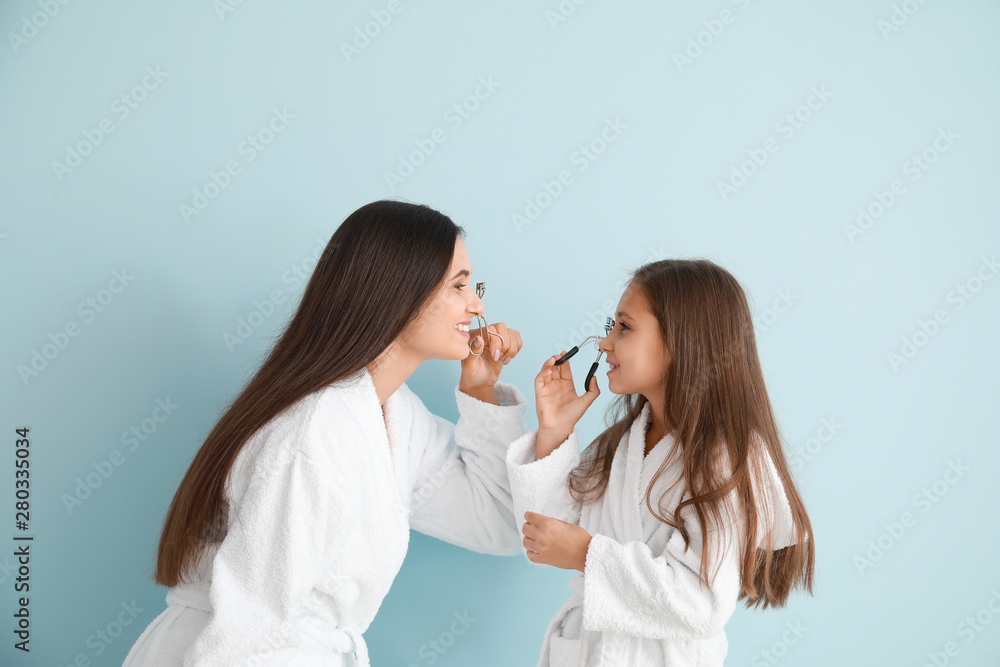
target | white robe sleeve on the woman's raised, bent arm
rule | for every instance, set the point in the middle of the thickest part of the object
(461, 493)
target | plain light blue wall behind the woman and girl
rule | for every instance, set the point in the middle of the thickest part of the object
(651, 193)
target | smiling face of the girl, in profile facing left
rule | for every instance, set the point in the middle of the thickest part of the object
(635, 349)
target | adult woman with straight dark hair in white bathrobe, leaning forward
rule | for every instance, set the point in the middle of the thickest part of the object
(293, 519)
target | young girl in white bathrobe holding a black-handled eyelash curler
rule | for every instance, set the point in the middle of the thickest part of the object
(684, 505)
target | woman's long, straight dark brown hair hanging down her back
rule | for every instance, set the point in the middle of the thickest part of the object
(378, 270)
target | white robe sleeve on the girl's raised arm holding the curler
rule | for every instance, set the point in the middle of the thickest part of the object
(543, 486)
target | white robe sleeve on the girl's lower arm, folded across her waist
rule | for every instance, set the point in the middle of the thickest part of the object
(629, 589)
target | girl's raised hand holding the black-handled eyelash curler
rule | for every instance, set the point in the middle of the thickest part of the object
(557, 405)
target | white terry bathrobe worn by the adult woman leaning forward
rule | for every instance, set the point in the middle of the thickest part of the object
(321, 503)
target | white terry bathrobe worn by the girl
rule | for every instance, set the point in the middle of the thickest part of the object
(638, 601)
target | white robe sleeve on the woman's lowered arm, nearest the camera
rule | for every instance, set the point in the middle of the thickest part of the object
(269, 561)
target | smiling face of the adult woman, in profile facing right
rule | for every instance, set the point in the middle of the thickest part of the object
(437, 334)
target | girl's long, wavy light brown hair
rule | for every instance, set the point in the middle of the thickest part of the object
(717, 403)
